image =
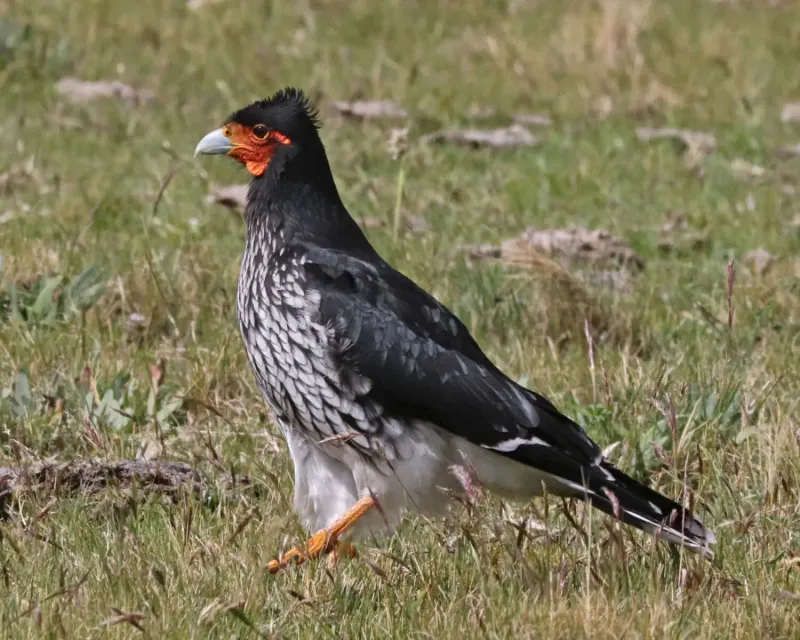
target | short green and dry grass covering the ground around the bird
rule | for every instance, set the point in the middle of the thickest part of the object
(81, 192)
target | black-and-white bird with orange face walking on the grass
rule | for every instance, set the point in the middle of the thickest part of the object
(379, 390)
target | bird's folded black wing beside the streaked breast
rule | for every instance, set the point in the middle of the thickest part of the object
(425, 365)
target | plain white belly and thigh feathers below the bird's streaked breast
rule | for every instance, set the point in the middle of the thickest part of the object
(330, 478)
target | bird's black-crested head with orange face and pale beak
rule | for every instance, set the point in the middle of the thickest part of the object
(265, 135)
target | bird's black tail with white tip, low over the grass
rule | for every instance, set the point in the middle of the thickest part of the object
(630, 501)
